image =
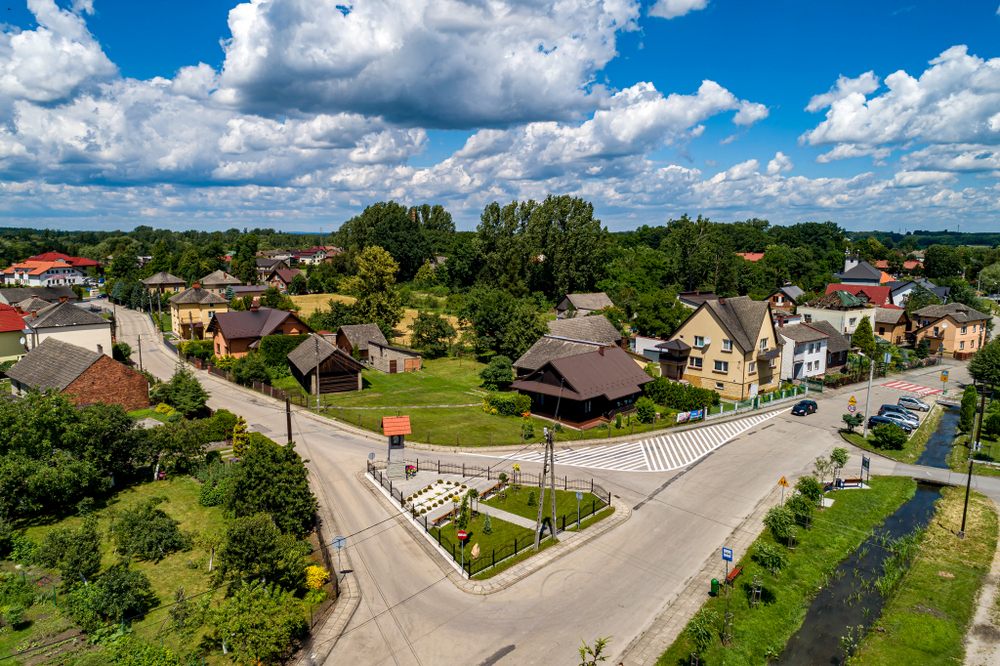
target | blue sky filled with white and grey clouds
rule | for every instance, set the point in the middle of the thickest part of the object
(295, 114)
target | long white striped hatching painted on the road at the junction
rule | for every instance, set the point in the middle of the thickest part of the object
(655, 454)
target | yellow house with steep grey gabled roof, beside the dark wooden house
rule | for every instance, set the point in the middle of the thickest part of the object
(729, 345)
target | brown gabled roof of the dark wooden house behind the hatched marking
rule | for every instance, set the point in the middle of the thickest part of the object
(612, 374)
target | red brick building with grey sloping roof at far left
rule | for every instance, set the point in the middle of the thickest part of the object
(84, 376)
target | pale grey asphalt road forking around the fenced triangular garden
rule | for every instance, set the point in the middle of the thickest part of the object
(615, 586)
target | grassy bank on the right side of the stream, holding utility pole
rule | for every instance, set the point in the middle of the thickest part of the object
(926, 618)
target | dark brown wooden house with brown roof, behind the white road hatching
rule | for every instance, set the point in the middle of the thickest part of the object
(585, 388)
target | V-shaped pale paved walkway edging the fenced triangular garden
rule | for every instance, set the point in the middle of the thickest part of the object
(513, 574)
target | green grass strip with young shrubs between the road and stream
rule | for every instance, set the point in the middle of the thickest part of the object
(837, 532)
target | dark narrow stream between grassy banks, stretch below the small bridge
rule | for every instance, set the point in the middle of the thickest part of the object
(837, 606)
